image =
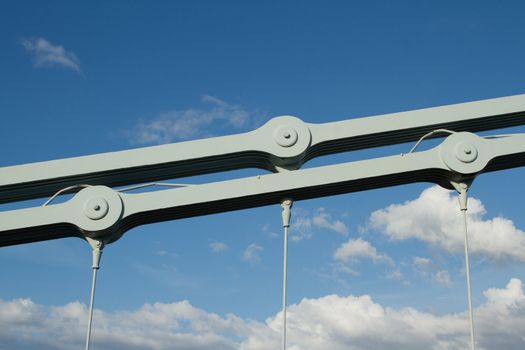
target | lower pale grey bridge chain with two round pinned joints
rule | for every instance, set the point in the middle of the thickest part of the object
(450, 161)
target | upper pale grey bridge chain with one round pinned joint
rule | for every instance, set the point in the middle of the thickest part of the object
(266, 147)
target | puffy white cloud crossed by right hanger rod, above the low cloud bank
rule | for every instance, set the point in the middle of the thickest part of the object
(434, 218)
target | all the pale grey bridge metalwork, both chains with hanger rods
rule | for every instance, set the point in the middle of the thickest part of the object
(101, 214)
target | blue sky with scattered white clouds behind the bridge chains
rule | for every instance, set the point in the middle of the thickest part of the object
(83, 78)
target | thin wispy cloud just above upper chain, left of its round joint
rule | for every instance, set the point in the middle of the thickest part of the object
(190, 123)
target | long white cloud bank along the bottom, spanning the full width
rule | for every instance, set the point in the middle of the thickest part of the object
(331, 322)
